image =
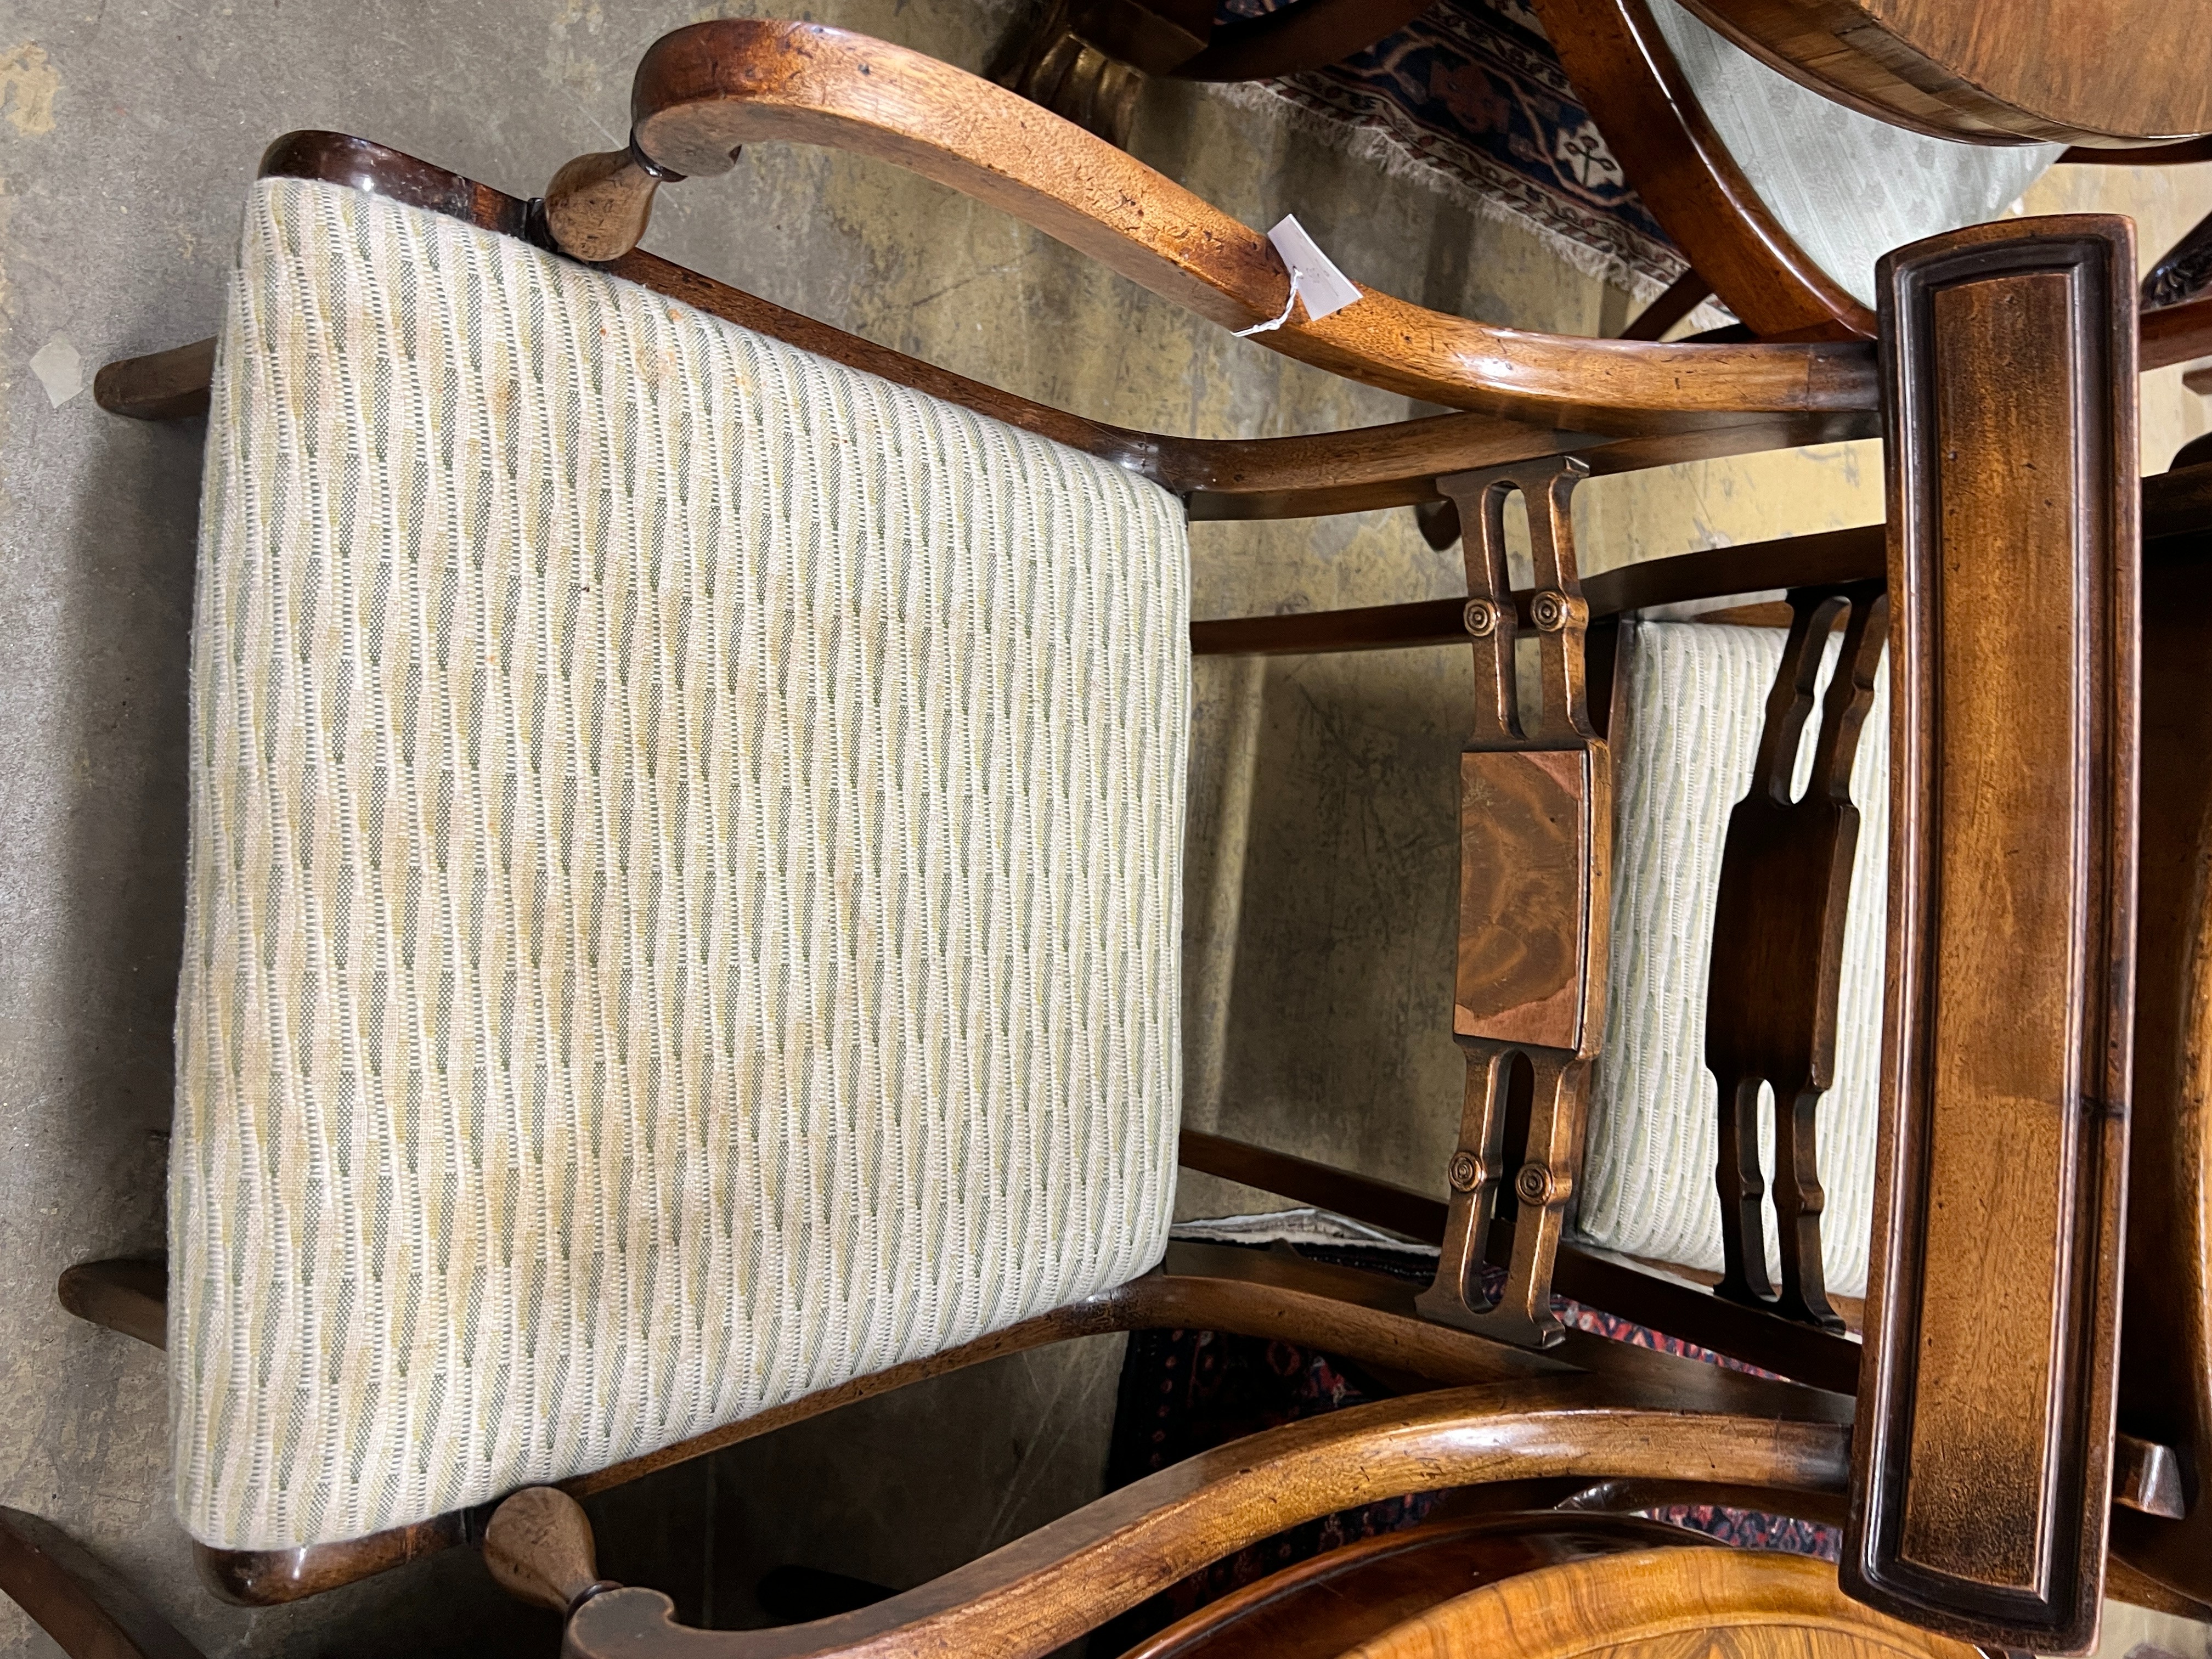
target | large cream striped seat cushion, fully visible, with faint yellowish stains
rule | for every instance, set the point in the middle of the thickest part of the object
(685, 877)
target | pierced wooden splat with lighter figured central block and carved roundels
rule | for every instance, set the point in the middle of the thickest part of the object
(1536, 837)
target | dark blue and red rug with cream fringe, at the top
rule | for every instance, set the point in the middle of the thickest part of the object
(1472, 103)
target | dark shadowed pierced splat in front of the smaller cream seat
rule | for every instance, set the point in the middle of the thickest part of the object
(1777, 952)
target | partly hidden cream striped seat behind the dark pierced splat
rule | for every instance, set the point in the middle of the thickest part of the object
(1693, 700)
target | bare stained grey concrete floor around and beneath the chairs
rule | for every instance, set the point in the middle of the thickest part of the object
(1322, 866)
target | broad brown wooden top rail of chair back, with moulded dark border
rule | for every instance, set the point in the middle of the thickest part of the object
(1983, 1465)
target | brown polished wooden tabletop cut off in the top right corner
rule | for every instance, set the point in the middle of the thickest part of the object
(2001, 72)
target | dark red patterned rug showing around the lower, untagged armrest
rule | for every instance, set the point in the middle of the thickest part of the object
(1187, 1392)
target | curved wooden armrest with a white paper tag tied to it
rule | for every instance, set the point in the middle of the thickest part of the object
(709, 90)
